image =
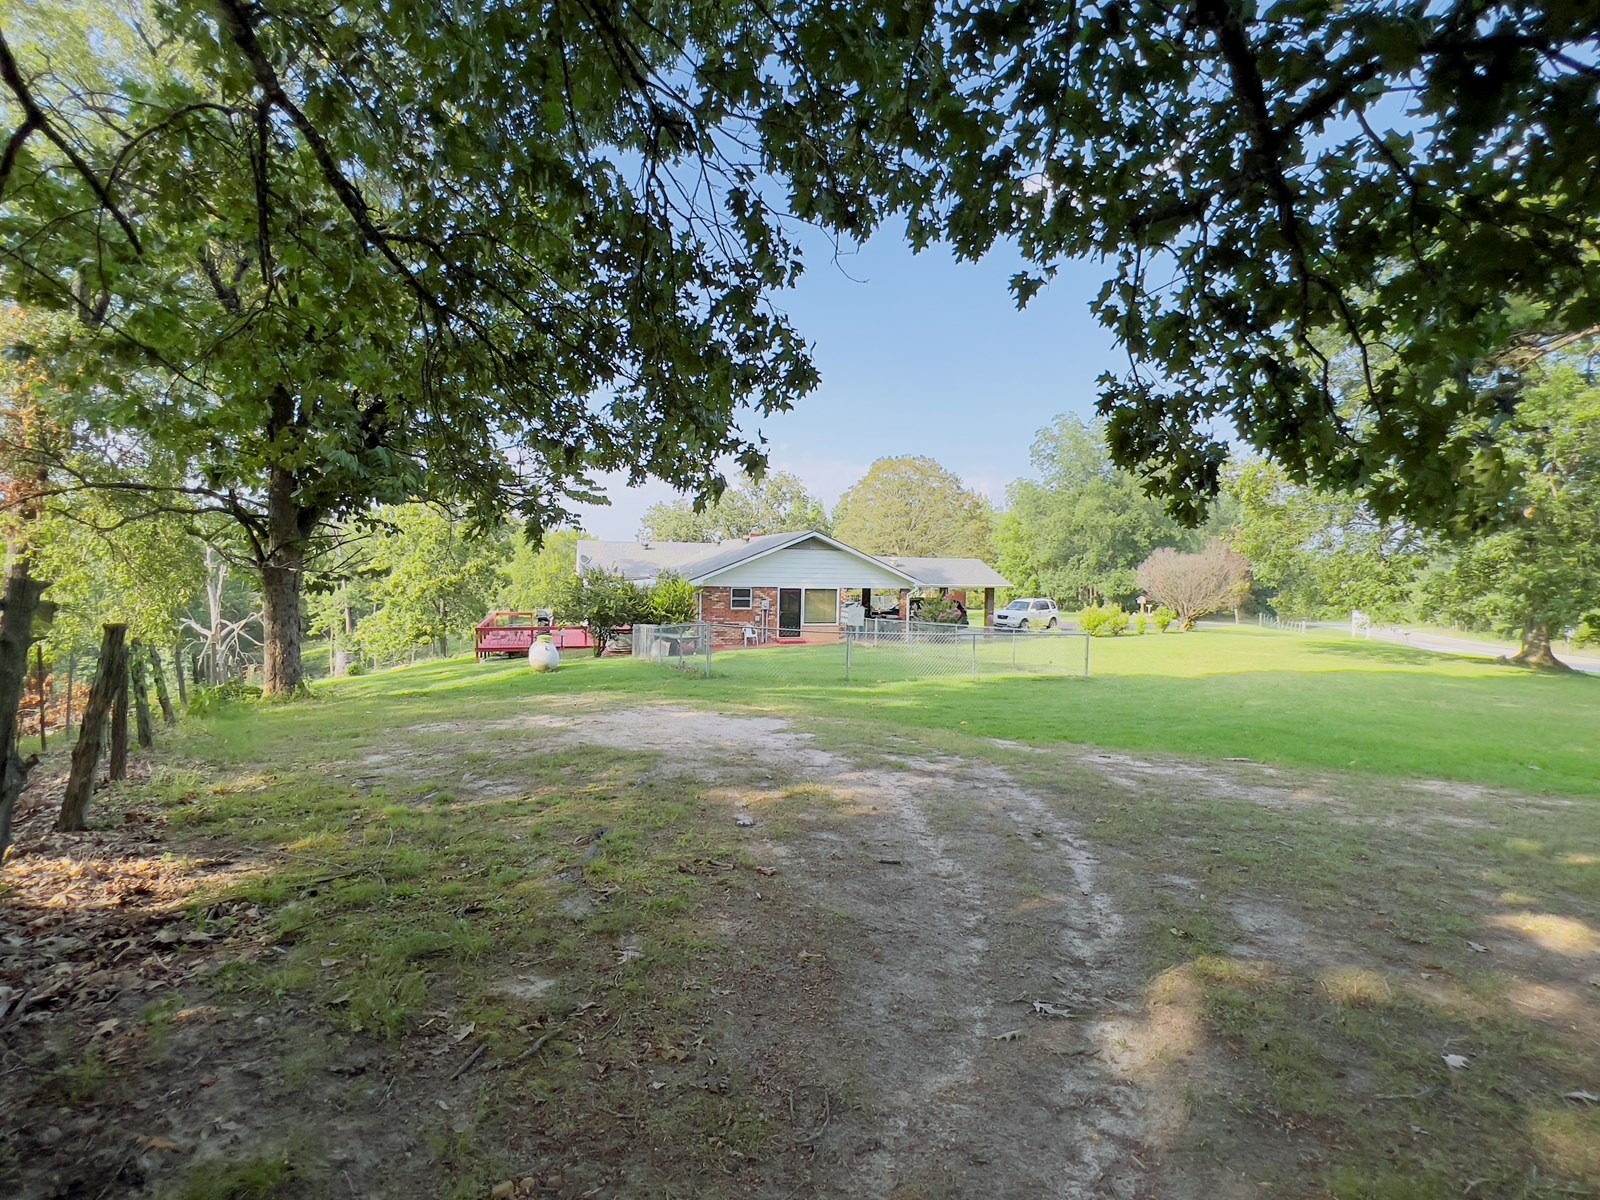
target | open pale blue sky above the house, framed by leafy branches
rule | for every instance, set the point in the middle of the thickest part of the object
(921, 356)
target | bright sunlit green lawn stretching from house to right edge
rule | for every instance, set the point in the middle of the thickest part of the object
(1234, 694)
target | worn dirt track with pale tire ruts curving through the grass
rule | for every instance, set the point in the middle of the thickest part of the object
(953, 898)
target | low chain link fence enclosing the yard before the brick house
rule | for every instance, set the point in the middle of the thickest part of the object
(881, 652)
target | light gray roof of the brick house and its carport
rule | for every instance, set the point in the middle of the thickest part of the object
(644, 562)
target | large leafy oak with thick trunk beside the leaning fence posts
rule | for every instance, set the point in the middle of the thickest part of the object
(358, 255)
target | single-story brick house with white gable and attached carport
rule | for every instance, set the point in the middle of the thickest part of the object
(786, 586)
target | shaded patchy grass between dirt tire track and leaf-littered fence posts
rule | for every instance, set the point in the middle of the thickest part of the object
(439, 894)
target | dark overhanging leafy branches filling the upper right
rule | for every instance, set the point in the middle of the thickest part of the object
(1313, 214)
